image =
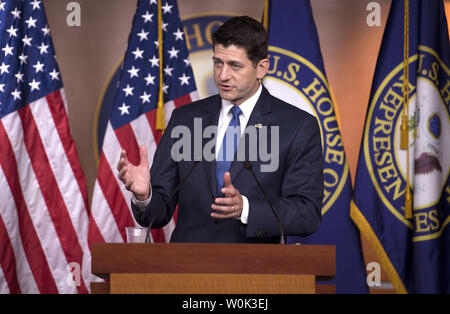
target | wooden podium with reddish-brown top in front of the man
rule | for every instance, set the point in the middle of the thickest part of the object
(173, 268)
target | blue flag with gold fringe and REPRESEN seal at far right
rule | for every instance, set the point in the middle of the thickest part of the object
(414, 251)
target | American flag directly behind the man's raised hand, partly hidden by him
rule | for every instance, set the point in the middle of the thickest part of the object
(133, 118)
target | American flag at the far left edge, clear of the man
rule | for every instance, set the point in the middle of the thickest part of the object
(43, 201)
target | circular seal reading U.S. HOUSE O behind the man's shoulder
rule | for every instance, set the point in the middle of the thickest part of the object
(297, 81)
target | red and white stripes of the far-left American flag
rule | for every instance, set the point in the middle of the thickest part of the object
(44, 213)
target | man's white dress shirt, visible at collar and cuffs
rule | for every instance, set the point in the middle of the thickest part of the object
(225, 117)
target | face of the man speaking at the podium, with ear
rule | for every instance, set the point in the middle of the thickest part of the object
(235, 75)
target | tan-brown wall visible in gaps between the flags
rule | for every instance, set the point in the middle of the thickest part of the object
(87, 55)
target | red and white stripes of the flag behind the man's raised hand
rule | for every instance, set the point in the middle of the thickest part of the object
(111, 204)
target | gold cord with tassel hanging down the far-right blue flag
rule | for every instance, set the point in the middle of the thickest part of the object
(404, 140)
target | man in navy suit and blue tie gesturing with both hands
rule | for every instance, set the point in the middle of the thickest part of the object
(220, 200)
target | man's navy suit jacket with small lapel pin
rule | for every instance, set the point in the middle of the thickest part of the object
(295, 188)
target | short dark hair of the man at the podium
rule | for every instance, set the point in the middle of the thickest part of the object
(245, 32)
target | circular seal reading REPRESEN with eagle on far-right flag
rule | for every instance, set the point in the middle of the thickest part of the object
(426, 162)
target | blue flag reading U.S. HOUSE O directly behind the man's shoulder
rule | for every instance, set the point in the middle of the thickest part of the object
(297, 75)
